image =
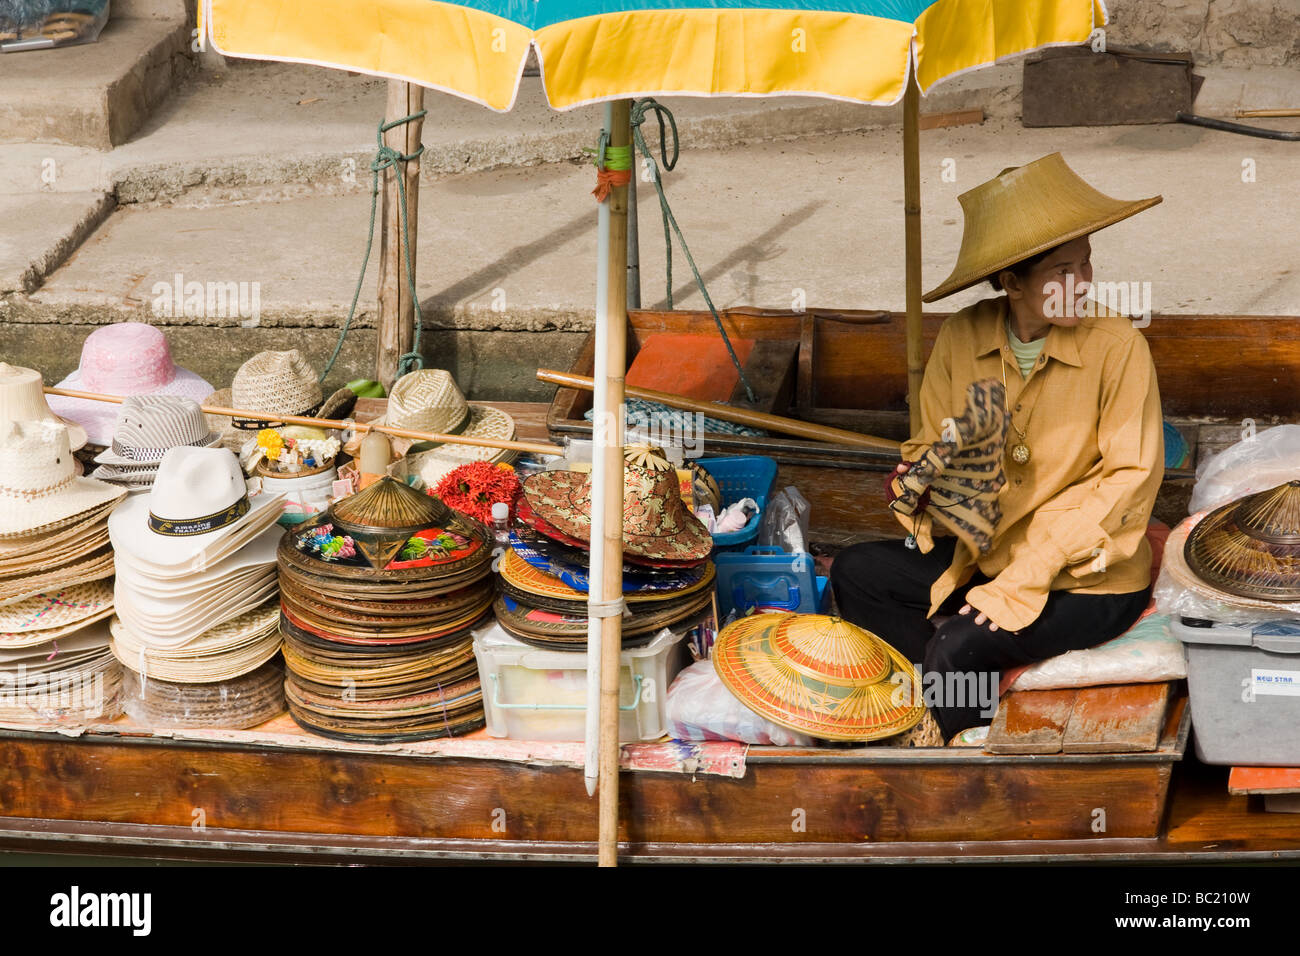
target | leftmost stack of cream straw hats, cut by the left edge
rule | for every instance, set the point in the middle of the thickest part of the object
(57, 573)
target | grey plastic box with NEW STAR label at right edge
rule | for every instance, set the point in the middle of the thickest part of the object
(1243, 685)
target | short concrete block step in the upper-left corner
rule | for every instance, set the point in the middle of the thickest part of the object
(94, 96)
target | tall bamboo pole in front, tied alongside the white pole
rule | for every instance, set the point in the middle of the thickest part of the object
(612, 452)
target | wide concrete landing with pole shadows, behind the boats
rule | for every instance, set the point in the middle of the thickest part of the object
(508, 258)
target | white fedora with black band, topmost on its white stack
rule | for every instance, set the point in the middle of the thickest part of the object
(198, 500)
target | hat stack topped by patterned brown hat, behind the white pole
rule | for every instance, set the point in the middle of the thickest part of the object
(668, 577)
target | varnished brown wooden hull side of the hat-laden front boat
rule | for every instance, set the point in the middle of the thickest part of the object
(244, 799)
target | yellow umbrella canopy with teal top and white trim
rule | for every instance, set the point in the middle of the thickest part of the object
(599, 50)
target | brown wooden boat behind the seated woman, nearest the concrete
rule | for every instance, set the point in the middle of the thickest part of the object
(846, 369)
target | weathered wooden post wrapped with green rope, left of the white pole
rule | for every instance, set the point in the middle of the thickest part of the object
(397, 308)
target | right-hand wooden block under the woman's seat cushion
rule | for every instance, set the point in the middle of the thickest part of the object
(1117, 719)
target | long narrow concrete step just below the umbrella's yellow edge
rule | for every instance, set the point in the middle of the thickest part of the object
(259, 131)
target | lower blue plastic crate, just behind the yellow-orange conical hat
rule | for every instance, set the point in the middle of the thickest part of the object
(769, 578)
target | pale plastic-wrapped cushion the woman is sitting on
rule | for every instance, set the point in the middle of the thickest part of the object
(1149, 652)
